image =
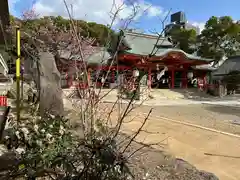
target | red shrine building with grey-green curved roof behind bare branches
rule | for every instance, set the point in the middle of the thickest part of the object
(166, 66)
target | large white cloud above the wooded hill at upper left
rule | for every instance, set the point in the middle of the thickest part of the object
(97, 11)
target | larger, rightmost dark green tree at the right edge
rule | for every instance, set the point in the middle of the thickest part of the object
(221, 37)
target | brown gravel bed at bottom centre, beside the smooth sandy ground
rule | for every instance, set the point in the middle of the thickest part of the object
(152, 164)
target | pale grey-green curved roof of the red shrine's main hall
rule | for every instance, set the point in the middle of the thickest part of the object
(143, 44)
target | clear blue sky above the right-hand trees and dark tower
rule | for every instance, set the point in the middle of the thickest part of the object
(197, 11)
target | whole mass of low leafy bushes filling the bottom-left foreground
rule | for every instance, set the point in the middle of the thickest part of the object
(46, 147)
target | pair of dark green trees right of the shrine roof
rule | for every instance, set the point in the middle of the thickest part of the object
(220, 37)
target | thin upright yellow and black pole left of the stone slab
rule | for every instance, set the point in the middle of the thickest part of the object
(18, 72)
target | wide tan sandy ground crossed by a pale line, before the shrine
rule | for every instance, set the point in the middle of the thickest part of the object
(209, 151)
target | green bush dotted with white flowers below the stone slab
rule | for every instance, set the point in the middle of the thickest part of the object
(43, 141)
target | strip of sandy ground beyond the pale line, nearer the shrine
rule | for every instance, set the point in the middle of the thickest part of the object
(219, 117)
